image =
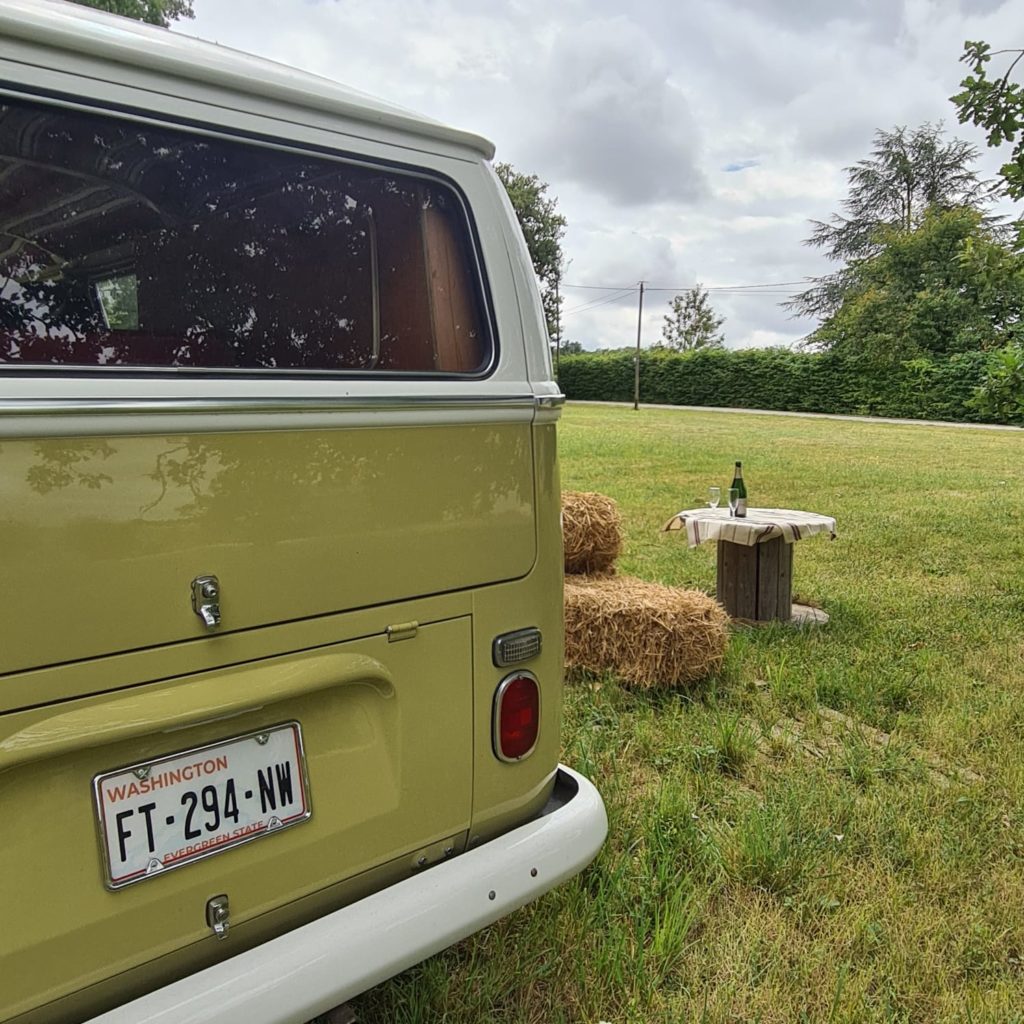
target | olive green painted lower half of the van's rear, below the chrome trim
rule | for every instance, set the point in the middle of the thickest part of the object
(397, 731)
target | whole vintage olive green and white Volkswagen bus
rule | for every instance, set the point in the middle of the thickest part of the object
(281, 664)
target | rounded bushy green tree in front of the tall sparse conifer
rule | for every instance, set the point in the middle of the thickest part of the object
(948, 285)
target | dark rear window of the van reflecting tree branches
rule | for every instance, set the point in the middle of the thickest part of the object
(136, 246)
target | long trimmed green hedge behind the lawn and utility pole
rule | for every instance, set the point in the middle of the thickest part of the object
(782, 379)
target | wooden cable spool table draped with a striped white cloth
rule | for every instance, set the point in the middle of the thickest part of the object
(755, 558)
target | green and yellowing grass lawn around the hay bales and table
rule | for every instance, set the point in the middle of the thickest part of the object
(834, 829)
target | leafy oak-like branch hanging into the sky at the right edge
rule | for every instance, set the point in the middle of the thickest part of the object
(997, 106)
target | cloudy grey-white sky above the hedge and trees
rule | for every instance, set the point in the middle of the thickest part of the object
(686, 141)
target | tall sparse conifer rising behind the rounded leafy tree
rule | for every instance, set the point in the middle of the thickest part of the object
(909, 174)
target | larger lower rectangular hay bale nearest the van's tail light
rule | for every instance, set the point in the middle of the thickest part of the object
(649, 635)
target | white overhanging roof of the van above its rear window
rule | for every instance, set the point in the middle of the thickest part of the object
(69, 27)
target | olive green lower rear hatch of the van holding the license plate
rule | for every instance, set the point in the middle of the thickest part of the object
(379, 787)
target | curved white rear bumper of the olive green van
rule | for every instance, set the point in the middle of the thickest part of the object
(302, 974)
